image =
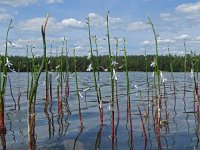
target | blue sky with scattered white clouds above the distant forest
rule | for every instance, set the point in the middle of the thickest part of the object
(174, 21)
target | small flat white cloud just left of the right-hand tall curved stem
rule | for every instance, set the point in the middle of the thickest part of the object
(137, 26)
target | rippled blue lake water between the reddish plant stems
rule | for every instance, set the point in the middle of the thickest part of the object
(63, 132)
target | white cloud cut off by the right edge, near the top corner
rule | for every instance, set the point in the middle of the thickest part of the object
(189, 8)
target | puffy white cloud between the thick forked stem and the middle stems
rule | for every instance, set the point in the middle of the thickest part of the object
(73, 23)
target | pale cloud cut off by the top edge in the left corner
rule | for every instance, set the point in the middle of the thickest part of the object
(17, 3)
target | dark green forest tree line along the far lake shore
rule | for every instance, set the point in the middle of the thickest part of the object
(135, 63)
